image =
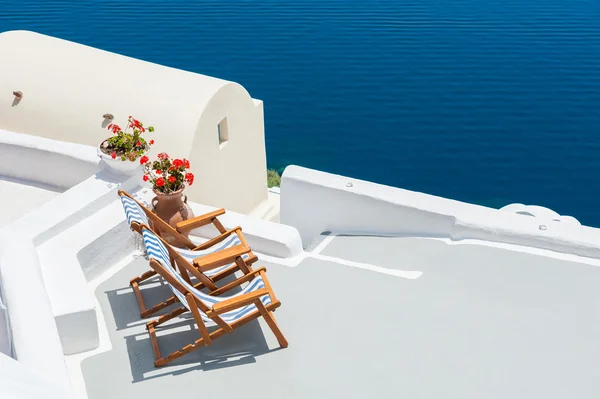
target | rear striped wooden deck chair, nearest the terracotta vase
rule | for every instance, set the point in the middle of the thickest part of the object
(231, 241)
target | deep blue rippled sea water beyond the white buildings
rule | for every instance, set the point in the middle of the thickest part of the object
(485, 101)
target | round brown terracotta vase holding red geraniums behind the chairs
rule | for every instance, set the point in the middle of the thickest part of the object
(172, 208)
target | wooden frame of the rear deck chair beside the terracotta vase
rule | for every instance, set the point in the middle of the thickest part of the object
(212, 261)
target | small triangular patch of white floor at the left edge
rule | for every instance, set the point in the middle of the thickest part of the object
(18, 197)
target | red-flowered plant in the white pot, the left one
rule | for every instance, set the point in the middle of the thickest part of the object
(127, 145)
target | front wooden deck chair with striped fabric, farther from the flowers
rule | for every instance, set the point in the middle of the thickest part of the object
(226, 312)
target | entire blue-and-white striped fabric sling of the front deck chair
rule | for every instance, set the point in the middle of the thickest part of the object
(157, 250)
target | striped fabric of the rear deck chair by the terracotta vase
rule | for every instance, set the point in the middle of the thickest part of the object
(134, 213)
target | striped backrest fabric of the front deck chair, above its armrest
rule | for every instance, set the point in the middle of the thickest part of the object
(158, 251)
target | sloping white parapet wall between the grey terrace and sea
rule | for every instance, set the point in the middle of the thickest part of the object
(314, 202)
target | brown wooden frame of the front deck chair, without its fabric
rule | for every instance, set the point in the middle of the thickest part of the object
(213, 313)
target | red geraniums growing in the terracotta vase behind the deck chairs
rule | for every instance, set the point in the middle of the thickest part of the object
(167, 175)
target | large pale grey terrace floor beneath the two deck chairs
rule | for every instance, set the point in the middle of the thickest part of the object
(479, 322)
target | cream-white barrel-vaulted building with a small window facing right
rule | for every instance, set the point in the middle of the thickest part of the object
(68, 87)
